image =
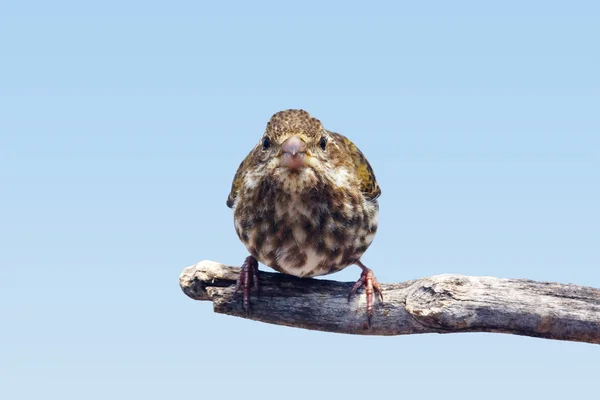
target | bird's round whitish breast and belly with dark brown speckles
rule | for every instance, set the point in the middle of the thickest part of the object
(305, 233)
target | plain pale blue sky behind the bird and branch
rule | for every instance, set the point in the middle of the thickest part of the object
(122, 125)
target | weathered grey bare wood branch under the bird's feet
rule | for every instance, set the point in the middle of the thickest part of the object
(437, 304)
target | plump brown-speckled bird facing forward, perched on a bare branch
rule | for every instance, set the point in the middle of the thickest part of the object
(304, 203)
